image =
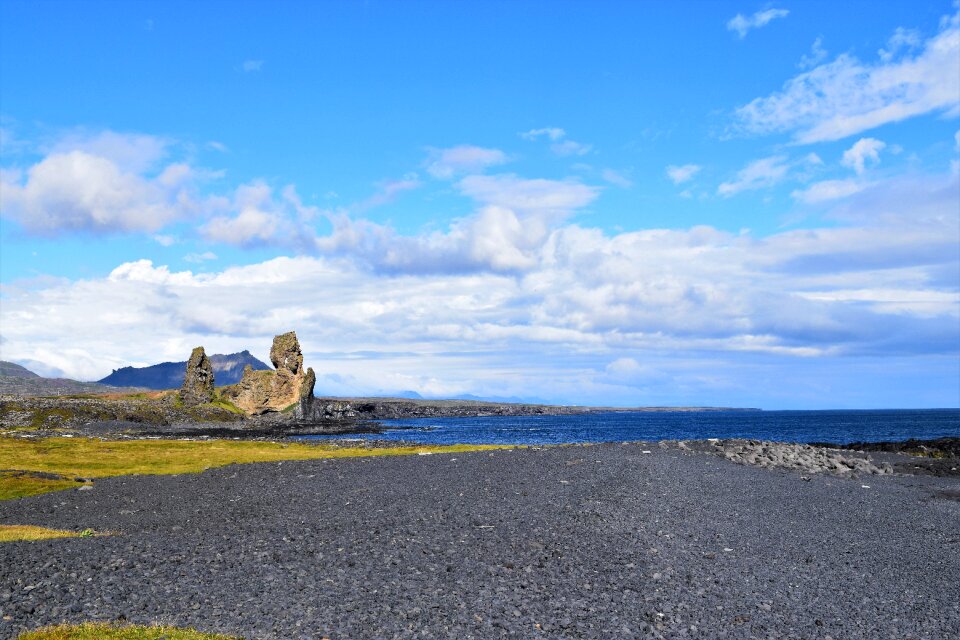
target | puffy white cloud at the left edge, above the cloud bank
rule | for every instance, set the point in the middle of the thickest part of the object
(78, 191)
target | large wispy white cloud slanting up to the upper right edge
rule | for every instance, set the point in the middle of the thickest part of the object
(846, 96)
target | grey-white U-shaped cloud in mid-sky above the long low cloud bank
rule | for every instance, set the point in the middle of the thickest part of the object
(512, 219)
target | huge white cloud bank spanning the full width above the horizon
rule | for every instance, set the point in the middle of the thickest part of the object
(616, 307)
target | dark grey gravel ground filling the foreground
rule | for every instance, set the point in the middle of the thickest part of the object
(603, 541)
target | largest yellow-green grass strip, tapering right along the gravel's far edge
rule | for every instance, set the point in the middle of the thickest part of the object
(94, 458)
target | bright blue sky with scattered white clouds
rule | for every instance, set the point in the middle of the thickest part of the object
(606, 203)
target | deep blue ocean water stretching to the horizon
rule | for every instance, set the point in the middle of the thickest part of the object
(838, 427)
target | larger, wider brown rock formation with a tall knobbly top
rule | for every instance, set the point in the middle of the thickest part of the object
(289, 386)
